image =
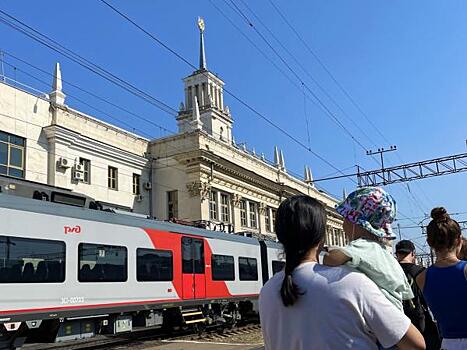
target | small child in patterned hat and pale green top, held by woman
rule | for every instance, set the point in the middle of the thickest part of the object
(368, 213)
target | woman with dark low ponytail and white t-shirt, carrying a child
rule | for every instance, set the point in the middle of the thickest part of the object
(311, 306)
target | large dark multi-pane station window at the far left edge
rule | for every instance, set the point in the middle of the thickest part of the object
(12, 155)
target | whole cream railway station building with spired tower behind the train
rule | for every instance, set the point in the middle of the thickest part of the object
(197, 175)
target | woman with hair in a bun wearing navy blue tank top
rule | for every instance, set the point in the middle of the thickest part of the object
(444, 284)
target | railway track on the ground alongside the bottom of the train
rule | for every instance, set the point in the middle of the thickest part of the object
(140, 338)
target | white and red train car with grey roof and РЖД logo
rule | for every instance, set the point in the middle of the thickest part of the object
(68, 273)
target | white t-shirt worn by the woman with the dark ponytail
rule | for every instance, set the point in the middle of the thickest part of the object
(339, 309)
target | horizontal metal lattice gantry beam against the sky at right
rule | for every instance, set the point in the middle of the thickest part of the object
(413, 171)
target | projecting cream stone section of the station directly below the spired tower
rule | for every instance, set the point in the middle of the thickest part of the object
(219, 182)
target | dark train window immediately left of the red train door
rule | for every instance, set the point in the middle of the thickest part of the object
(154, 265)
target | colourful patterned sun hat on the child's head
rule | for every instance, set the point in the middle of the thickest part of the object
(371, 208)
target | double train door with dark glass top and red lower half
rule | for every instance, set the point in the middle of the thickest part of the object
(194, 281)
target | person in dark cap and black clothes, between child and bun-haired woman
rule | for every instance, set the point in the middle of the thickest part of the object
(416, 309)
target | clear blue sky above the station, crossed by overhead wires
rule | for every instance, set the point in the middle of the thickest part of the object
(402, 62)
